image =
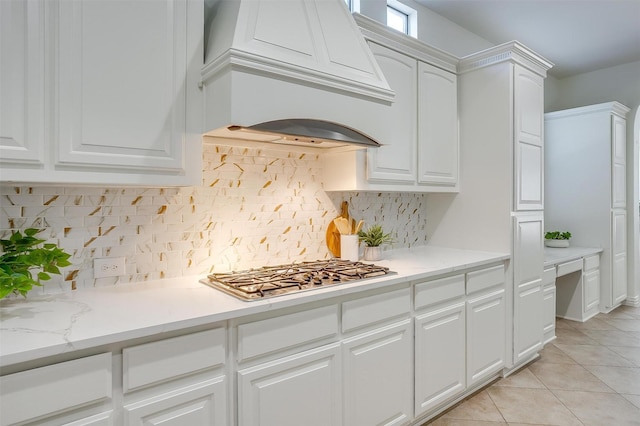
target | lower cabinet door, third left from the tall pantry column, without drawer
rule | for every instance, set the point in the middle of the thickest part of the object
(378, 377)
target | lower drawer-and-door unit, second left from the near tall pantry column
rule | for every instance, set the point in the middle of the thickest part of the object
(440, 317)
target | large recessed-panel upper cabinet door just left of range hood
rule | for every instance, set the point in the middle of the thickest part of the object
(121, 93)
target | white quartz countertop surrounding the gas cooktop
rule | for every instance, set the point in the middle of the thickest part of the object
(41, 326)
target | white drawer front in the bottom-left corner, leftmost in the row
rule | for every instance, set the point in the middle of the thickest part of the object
(55, 388)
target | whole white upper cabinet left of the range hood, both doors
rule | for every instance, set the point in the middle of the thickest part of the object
(119, 106)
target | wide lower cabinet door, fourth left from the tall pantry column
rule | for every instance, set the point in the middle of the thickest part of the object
(302, 389)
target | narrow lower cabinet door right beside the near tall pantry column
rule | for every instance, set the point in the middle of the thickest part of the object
(486, 337)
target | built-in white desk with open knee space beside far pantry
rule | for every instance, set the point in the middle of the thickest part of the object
(573, 275)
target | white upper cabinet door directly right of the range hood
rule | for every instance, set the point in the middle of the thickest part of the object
(395, 161)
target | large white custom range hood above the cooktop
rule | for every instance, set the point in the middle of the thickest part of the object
(290, 71)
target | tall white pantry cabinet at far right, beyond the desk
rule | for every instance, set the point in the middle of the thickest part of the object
(585, 158)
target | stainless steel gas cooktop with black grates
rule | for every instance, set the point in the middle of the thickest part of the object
(270, 281)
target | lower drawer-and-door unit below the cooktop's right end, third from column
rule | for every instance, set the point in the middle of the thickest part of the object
(377, 361)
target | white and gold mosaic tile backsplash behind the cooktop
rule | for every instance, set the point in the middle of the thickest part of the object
(255, 207)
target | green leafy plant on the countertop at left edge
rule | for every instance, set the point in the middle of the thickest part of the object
(23, 253)
